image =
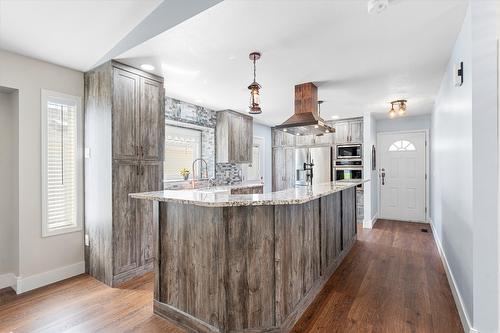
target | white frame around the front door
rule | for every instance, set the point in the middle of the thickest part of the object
(427, 169)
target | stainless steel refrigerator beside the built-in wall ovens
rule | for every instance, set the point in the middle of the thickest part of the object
(313, 165)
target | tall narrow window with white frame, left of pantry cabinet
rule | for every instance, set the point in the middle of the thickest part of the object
(61, 163)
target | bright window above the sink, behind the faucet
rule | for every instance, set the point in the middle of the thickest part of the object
(182, 147)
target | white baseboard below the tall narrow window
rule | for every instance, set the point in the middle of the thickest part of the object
(28, 283)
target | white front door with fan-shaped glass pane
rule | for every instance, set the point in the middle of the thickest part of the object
(402, 176)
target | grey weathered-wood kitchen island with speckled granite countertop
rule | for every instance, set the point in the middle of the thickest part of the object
(247, 263)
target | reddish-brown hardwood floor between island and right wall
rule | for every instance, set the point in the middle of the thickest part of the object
(391, 281)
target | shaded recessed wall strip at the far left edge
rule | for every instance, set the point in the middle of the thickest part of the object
(9, 238)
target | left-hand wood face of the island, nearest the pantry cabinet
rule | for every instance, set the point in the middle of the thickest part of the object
(191, 269)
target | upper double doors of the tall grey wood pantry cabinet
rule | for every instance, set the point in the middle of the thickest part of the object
(138, 120)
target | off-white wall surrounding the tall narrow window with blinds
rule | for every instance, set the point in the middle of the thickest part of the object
(36, 254)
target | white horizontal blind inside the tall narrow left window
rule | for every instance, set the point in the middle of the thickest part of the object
(61, 166)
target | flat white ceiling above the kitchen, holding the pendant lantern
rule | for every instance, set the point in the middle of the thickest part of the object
(359, 61)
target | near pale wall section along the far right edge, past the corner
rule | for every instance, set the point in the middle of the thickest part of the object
(485, 164)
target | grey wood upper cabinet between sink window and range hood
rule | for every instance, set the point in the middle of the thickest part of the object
(234, 137)
